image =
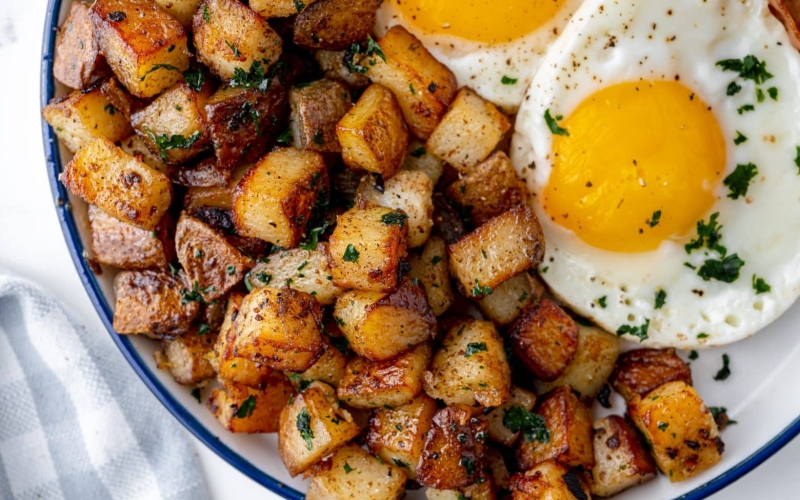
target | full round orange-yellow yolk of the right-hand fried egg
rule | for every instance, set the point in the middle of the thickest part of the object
(639, 166)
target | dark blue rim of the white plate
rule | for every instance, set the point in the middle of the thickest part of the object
(92, 287)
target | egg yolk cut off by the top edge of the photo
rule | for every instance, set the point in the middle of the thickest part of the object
(489, 21)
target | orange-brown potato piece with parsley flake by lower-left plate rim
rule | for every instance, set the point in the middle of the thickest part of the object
(243, 409)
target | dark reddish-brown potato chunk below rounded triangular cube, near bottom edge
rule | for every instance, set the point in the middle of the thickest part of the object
(440, 465)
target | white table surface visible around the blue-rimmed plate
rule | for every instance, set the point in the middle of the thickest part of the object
(32, 246)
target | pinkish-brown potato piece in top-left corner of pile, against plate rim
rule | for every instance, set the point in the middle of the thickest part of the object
(78, 62)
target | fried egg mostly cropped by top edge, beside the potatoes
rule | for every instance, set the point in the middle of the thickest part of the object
(494, 47)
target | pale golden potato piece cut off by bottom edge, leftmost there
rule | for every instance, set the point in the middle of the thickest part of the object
(353, 473)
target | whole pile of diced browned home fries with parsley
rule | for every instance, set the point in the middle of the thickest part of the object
(311, 221)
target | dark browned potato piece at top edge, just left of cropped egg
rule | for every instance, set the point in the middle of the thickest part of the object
(334, 24)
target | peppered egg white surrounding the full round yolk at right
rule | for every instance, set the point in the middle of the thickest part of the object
(764, 230)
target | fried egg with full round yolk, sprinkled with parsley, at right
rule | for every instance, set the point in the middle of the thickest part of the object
(661, 144)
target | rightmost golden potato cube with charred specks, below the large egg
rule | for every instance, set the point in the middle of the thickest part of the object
(683, 436)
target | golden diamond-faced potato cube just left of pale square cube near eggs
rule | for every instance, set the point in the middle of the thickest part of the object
(373, 135)
